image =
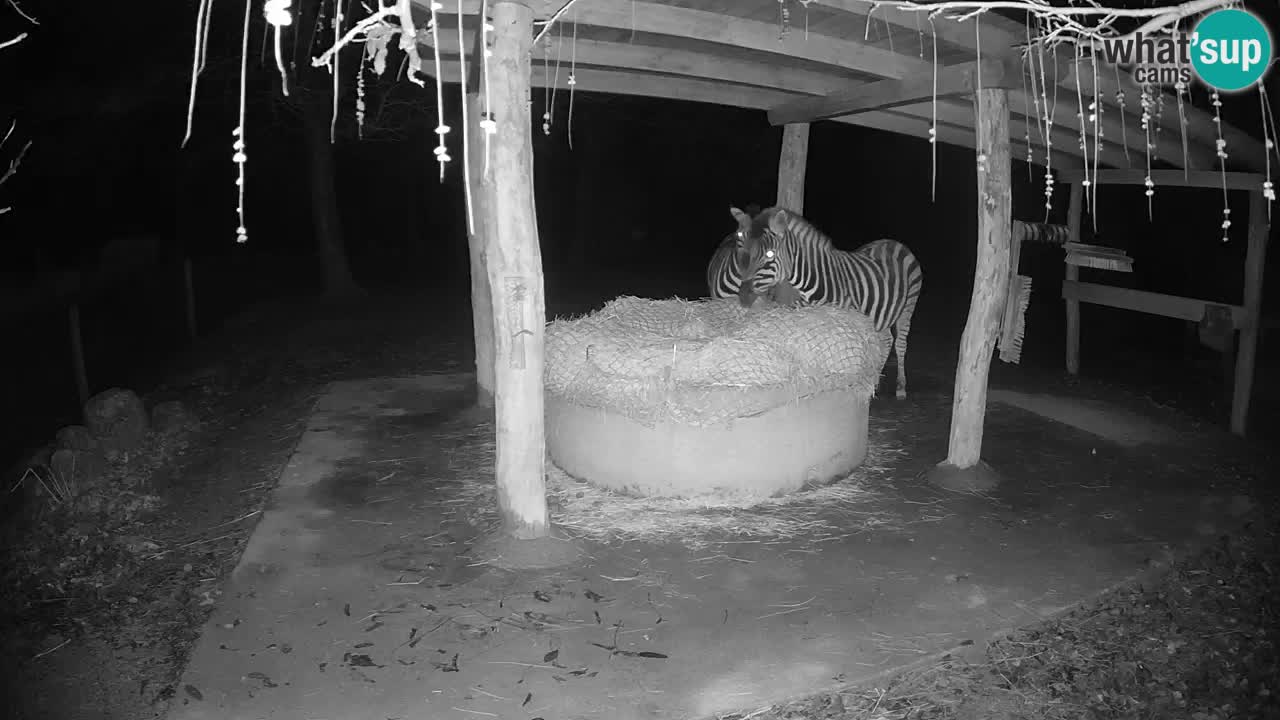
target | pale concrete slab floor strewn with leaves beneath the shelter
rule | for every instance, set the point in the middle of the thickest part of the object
(358, 599)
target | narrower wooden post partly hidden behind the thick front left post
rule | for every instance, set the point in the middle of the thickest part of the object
(481, 235)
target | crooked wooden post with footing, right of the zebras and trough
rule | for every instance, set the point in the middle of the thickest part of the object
(962, 470)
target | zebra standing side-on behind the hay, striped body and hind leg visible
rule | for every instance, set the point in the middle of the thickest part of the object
(883, 279)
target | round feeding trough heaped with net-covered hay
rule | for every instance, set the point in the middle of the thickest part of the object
(678, 399)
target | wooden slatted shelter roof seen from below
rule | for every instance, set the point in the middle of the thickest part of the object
(746, 54)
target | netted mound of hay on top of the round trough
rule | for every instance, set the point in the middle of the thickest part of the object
(705, 363)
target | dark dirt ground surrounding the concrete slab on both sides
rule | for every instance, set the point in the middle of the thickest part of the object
(1196, 641)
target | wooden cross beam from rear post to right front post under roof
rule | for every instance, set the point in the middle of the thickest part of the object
(953, 81)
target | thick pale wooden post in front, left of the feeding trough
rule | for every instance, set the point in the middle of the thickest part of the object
(515, 274)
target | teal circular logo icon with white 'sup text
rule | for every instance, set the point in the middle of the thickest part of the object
(1232, 49)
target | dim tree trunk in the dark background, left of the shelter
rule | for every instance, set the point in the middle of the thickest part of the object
(339, 281)
